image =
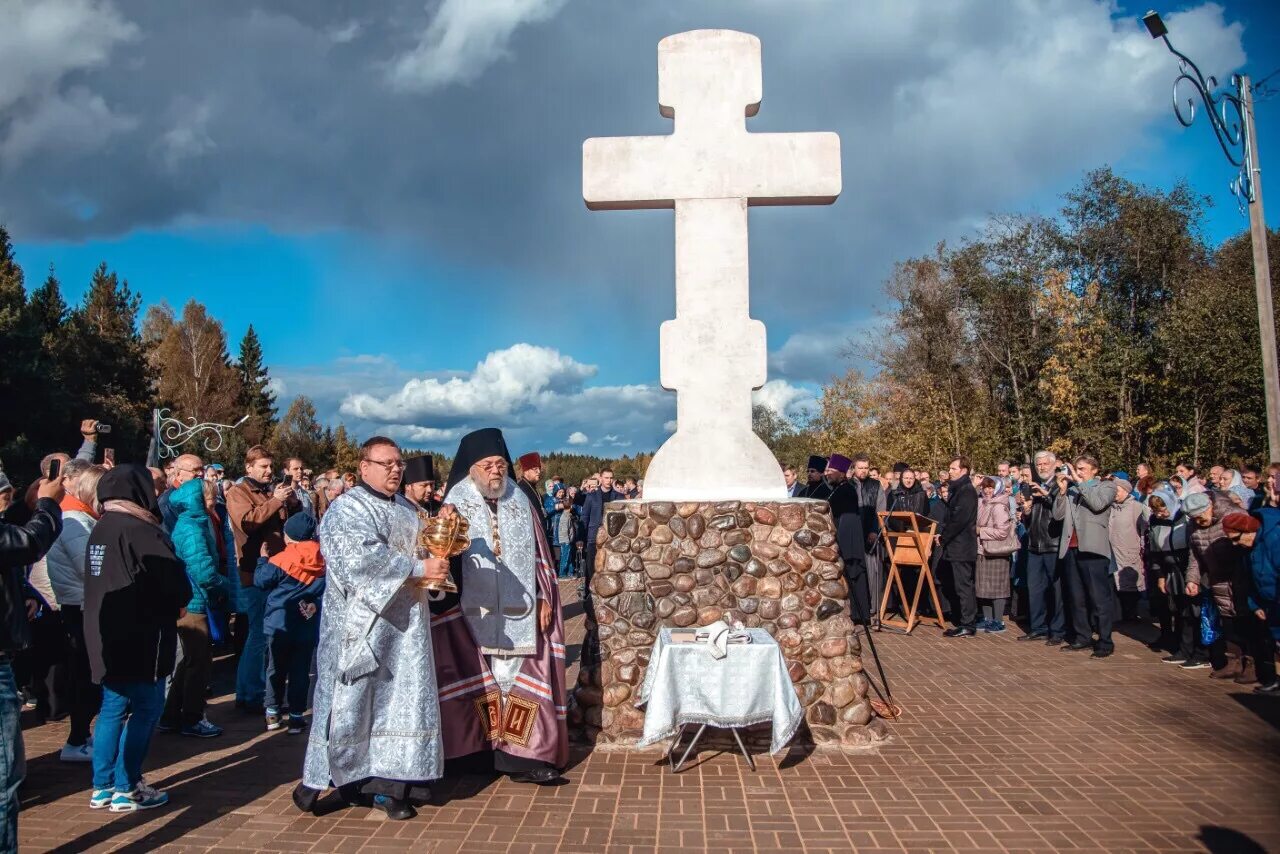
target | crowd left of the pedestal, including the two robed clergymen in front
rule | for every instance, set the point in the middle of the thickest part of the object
(121, 584)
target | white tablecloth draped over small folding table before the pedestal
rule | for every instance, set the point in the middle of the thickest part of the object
(751, 686)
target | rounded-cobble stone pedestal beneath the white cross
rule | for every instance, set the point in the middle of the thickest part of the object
(767, 564)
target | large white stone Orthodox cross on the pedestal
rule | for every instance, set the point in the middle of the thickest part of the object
(711, 170)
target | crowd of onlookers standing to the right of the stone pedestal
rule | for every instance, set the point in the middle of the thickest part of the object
(1075, 550)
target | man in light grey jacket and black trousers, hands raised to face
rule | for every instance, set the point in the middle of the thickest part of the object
(1087, 547)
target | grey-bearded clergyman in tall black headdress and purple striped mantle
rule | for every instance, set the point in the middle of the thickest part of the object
(500, 642)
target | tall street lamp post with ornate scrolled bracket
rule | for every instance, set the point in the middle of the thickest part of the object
(1232, 118)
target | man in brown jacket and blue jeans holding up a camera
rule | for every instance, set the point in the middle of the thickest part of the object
(258, 508)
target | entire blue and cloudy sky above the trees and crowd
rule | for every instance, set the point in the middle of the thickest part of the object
(392, 199)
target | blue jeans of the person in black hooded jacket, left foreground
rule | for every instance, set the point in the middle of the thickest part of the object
(124, 730)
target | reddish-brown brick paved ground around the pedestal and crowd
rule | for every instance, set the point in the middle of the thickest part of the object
(1004, 748)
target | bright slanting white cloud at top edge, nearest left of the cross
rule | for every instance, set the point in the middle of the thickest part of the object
(464, 39)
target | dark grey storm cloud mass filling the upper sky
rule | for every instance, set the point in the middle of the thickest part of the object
(460, 125)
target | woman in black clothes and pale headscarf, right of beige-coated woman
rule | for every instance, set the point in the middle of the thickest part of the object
(1167, 556)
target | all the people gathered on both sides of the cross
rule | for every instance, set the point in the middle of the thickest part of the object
(122, 583)
